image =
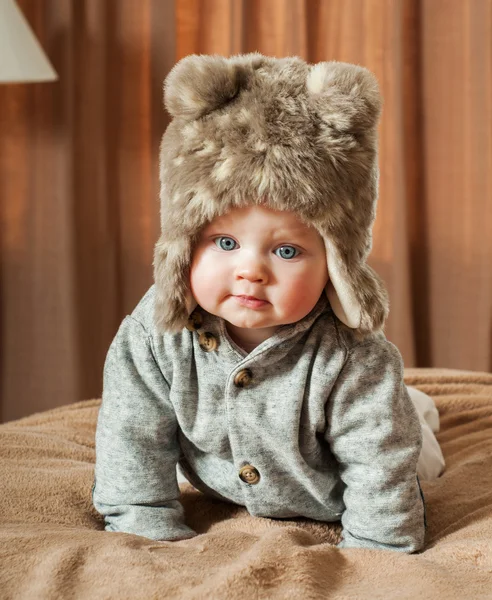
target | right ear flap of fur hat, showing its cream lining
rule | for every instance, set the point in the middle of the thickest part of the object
(357, 295)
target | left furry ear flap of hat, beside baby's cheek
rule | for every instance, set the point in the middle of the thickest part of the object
(174, 301)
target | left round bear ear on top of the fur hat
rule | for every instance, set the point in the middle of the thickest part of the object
(199, 84)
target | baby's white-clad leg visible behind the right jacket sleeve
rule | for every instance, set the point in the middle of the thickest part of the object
(431, 461)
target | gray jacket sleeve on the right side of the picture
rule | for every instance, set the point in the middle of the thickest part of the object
(375, 435)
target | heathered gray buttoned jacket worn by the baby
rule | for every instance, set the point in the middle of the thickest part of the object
(314, 422)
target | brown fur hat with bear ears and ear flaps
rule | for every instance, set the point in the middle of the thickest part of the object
(252, 129)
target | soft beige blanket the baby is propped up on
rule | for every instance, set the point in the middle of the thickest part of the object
(52, 543)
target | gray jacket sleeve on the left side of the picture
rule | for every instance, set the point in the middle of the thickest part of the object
(136, 488)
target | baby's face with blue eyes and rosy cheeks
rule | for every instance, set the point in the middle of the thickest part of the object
(258, 268)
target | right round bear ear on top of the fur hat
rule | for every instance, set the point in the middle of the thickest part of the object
(346, 96)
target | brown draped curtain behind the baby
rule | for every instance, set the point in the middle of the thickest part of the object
(79, 171)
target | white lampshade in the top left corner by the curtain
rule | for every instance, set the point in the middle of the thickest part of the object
(21, 57)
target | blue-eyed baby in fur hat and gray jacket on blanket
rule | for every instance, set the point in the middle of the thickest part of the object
(257, 361)
